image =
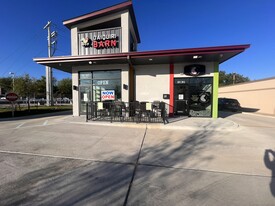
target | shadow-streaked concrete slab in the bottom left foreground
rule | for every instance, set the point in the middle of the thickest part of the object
(32, 180)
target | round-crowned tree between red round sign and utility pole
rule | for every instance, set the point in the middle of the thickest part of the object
(26, 86)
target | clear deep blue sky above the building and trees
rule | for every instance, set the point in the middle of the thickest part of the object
(162, 24)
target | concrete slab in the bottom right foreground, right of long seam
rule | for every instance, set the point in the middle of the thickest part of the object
(168, 186)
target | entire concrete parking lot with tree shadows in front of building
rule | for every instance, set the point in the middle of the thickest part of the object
(62, 160)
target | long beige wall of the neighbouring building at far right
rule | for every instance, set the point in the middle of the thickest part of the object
(258, 95)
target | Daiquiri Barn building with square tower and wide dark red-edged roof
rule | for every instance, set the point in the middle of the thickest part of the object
(106, 65)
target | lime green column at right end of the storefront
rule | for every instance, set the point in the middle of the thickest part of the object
(215, 91)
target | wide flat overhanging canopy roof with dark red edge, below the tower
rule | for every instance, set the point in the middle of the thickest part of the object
(218, 54)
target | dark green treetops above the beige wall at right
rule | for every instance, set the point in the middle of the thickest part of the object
(231, 78)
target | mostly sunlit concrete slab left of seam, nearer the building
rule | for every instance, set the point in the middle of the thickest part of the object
(77, 141)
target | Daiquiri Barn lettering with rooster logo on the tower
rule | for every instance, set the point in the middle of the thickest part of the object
(101, 41)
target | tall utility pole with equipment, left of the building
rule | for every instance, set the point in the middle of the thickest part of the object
(49, 75)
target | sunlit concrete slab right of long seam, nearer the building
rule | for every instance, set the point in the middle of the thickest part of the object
(236, 152)
